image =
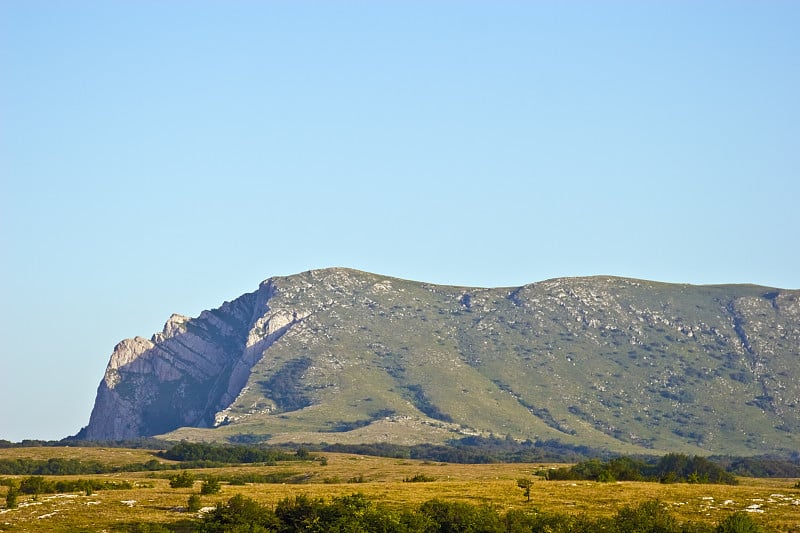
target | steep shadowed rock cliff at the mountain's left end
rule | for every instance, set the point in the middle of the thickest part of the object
(177, 378)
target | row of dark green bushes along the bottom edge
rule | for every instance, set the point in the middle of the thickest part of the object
(359, 514)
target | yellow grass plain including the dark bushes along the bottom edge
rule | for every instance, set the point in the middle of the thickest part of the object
(396, 492)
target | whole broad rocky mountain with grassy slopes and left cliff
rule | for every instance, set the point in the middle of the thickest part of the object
(339, 355)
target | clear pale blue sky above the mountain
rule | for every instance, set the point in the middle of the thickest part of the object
(160, 157)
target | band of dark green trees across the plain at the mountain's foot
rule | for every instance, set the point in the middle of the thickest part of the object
(472, 450)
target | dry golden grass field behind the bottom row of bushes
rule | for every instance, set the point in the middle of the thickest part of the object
(777, 503)
